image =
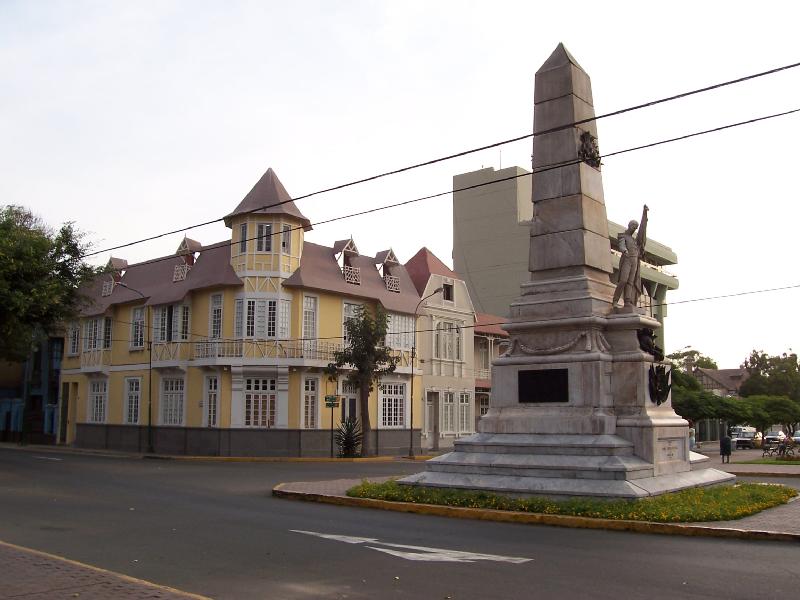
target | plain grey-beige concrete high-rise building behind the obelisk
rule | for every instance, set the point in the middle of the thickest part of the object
(491, 239)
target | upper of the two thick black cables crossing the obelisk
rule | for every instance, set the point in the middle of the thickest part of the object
(463, 153)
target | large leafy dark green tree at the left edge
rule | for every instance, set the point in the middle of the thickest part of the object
(40, 273)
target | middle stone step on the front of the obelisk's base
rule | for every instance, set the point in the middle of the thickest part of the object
(568, 466)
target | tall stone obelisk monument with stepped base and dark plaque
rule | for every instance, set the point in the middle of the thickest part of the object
(577, 407)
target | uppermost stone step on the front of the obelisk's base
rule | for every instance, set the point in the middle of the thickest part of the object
(526, 443)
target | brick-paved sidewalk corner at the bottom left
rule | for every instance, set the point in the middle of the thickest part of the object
(38, 576)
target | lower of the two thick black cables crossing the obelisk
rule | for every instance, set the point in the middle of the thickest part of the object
(535, 171)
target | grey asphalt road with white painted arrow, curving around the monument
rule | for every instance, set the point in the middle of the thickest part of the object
(214, 529)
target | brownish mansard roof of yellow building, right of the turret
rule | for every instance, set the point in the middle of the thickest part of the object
(320, 271)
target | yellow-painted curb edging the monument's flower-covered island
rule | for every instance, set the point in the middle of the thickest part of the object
(502, 516)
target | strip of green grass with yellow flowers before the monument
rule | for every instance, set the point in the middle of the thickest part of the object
(721, 503)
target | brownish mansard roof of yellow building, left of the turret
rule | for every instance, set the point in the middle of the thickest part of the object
(154, 279)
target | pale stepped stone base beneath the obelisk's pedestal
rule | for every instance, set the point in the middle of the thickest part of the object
(559, 467)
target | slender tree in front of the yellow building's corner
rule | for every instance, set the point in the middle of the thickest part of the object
(368, 360)
